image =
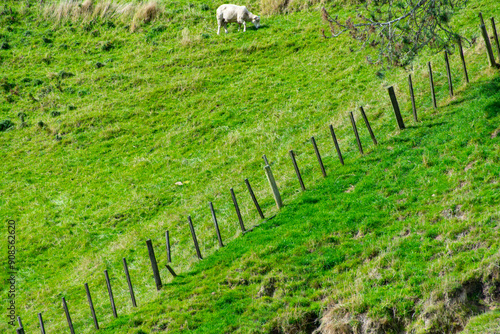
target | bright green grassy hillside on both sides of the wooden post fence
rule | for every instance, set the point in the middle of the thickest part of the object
(104, 122)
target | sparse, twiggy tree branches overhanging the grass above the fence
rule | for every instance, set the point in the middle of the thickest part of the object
(399, 29)
